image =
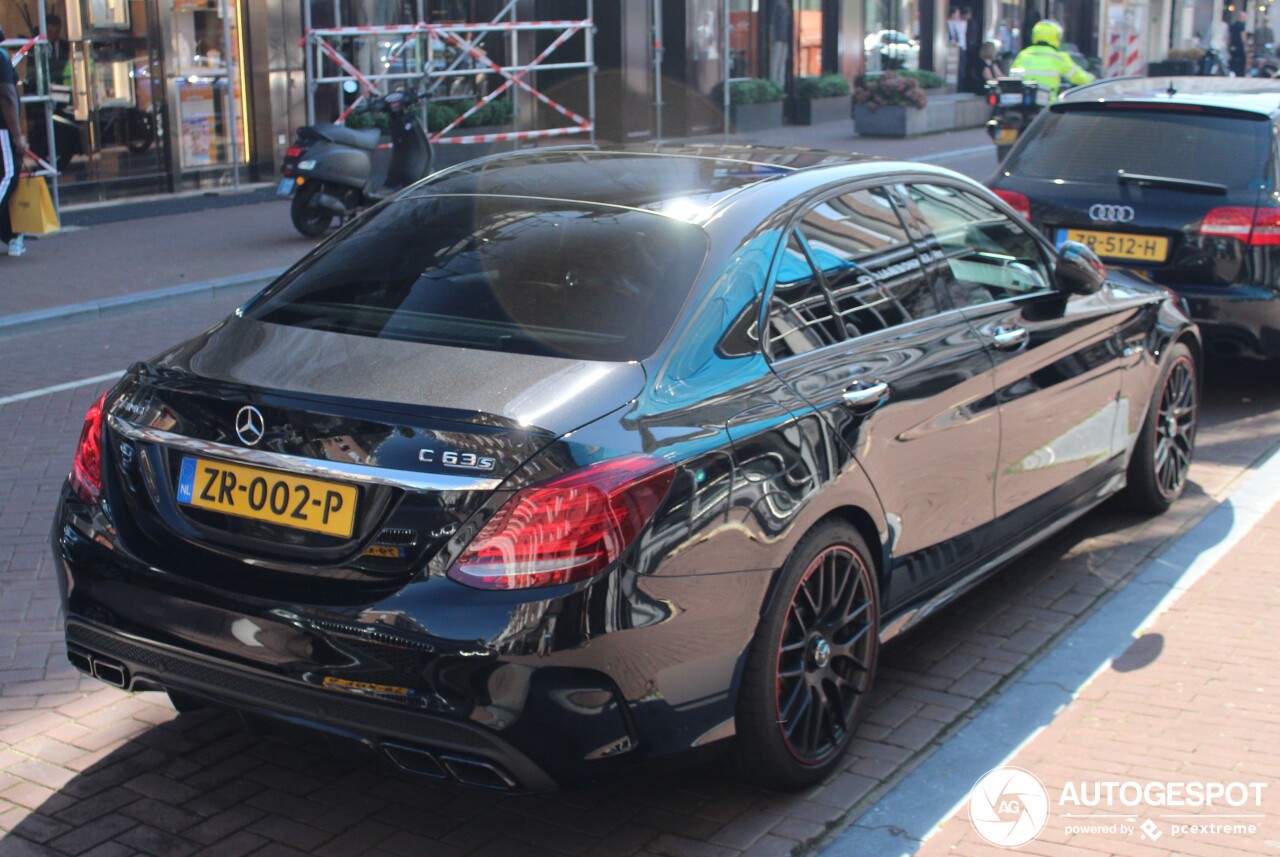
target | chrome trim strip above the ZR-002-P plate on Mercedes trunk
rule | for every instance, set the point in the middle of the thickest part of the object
(363, 474)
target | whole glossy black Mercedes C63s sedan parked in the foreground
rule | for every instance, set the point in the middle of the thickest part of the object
(563, 462)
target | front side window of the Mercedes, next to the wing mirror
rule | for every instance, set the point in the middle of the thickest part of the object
(977, 254)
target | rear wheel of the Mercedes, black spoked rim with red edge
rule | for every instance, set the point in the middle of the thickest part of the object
(812, 663)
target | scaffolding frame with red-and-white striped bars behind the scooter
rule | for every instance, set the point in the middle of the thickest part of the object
(437, 54)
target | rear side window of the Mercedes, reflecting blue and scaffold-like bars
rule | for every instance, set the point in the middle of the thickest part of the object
(849, 269)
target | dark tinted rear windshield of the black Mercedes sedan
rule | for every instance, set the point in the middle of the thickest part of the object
(531, 277)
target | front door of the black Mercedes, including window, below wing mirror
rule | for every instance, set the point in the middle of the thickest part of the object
(1058, 359)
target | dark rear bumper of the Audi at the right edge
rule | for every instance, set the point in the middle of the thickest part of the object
(1237, 320)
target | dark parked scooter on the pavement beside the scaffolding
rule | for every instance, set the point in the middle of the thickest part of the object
(335, 172)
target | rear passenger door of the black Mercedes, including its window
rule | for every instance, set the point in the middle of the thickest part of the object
(858, 333)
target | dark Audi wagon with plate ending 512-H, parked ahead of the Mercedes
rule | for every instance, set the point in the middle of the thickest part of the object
(1177, 180)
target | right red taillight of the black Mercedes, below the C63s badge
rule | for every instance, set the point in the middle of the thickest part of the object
(569, 529)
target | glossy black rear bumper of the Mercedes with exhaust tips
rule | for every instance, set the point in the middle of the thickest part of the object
(523, 693)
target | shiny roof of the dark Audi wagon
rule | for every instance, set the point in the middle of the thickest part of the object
(1249, 95)
